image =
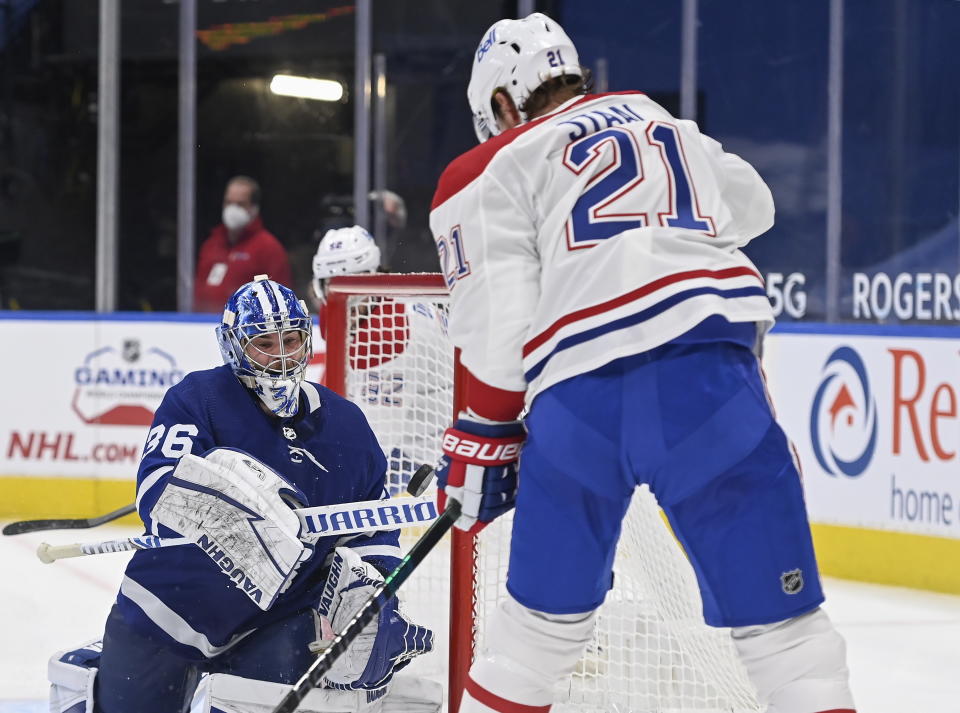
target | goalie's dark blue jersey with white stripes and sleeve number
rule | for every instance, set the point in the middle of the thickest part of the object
(178, 595)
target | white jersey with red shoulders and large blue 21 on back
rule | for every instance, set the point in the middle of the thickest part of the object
(603, 229)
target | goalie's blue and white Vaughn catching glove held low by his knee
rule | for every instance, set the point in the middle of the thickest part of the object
(384, 646)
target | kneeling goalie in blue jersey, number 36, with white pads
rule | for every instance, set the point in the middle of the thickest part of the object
(231, 451)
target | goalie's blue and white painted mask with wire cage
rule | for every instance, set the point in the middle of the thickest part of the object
(265, 338)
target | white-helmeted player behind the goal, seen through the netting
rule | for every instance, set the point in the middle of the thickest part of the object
(395, 376)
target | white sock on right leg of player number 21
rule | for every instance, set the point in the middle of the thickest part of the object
(798, 665)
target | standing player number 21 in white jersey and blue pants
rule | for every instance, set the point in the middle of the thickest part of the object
(592, 245)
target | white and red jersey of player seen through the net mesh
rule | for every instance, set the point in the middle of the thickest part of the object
(401, 377)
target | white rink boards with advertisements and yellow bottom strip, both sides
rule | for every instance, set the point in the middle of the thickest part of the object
(873, 413)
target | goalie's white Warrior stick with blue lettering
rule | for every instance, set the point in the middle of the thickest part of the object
(317, 522)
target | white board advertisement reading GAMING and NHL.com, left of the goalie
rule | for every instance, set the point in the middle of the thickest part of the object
(82, 397)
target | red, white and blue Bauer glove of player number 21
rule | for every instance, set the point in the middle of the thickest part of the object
(479, 469)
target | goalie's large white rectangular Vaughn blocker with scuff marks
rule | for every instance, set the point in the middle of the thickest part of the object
(238, 511)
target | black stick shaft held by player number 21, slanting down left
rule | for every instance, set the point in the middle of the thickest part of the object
(383, 593)
